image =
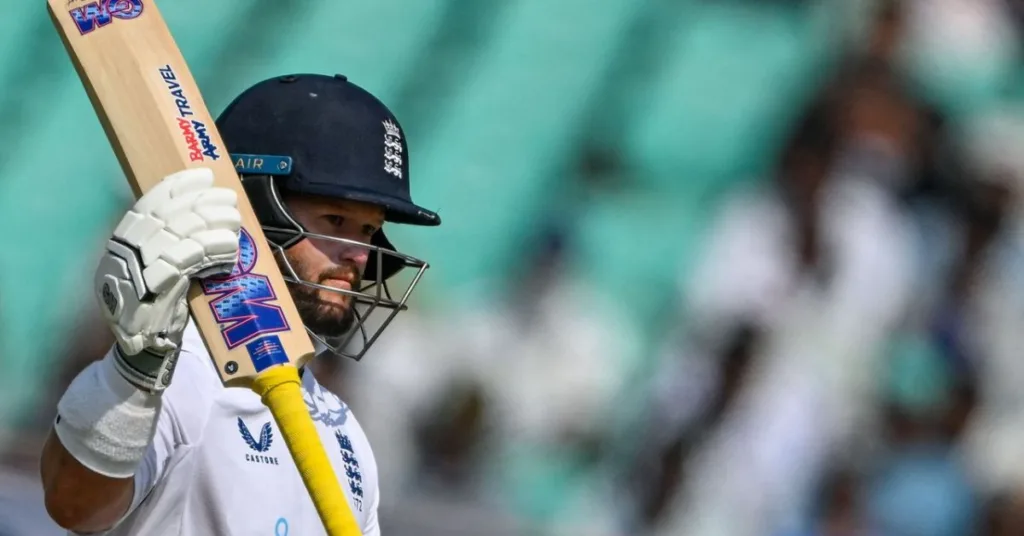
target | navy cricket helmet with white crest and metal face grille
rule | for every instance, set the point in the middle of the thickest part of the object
(324, 136)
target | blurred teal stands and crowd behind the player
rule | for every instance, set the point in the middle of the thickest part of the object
(707, 267)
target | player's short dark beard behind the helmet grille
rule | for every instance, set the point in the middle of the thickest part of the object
(327, 319)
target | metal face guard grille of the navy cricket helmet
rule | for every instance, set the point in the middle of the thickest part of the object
(374, 295)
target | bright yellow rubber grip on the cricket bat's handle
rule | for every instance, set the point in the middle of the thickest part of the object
(280, 390)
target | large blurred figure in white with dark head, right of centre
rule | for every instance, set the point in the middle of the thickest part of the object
(823, 264)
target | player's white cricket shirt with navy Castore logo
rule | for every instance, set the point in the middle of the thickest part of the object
(219, 466)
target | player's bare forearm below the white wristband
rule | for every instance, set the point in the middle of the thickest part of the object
(78, 499)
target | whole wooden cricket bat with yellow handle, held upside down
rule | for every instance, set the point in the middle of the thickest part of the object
(157, 123)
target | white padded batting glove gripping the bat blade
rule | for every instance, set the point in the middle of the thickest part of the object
(182, 229)
